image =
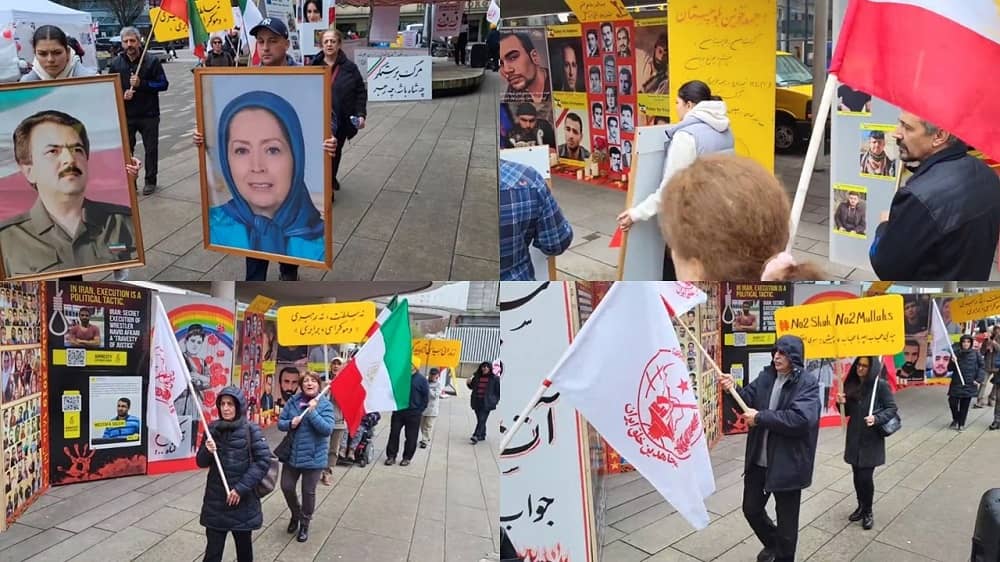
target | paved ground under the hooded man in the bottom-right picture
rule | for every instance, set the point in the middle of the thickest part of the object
(926, 498)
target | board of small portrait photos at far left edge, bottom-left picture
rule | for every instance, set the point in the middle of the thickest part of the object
(23, 473)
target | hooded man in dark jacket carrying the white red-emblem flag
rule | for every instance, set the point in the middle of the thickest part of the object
(781, 446)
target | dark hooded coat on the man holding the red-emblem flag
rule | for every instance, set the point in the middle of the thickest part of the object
(793, 428)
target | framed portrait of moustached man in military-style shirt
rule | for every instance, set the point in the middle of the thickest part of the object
(69, 207)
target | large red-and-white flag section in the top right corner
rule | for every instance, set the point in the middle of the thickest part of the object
(929, 57)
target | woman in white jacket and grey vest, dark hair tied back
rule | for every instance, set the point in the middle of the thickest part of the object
(703, 129)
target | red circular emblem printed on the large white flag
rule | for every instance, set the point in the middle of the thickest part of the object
(662, 421)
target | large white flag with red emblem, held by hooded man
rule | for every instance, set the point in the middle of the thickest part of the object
(627, 374)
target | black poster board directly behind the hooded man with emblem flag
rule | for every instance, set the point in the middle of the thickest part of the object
(748, 337)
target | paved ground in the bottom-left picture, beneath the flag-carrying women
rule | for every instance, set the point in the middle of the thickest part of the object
(441, 508)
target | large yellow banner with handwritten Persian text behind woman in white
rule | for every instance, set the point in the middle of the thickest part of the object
(730, 46)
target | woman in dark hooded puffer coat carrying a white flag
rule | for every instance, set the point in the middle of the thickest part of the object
(233, 437)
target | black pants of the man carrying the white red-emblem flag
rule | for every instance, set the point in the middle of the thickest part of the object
(780, 538)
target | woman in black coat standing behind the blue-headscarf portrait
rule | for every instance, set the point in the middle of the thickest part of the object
(349, 93)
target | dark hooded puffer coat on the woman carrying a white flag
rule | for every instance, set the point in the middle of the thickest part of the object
(242, 475)
